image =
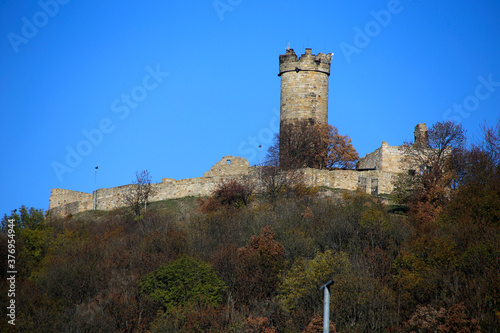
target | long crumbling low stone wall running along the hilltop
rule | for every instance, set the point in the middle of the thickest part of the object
(64, 202)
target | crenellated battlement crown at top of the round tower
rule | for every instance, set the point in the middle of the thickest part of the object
(289, 62)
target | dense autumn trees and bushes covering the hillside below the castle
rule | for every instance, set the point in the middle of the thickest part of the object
(238, 262)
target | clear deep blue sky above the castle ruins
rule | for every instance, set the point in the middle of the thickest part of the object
(173, 86)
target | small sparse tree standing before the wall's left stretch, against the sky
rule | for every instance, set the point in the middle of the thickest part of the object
(138, 193)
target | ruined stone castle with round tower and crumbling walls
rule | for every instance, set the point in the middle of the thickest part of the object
(304, 97)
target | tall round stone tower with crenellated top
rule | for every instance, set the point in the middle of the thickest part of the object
(304, 87)
